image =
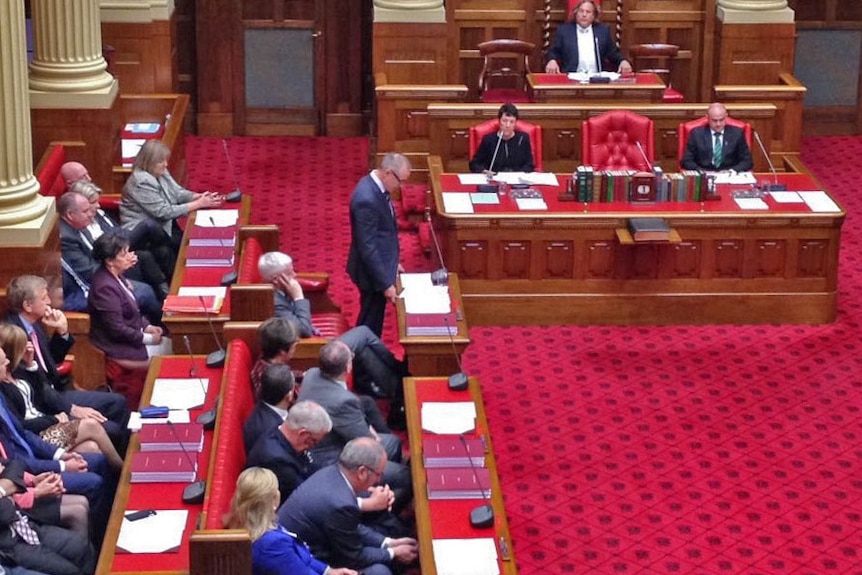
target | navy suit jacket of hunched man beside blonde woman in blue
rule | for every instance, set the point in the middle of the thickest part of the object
(324, 513)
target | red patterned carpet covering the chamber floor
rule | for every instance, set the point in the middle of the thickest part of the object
(691, 450)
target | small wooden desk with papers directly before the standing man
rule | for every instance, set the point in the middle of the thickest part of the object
(434, 355)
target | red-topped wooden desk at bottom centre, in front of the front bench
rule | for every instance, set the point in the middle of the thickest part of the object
(445, 519)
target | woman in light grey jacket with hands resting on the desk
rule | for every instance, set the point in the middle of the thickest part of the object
(151, 192)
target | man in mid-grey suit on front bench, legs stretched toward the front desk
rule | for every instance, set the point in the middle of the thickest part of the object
(352, 416)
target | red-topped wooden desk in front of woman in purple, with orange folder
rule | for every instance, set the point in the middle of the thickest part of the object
(196, 326)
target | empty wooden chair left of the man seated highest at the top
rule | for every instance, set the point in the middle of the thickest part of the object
(505, 66)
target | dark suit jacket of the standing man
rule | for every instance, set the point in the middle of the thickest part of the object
(373, 258)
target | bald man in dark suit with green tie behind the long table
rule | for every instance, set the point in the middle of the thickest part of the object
(717, 147)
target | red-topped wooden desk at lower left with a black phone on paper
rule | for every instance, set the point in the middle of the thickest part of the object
(158, 495)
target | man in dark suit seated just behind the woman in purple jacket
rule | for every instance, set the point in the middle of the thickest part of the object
(79, 265)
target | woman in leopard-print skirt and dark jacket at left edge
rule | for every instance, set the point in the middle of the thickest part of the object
(41, 408)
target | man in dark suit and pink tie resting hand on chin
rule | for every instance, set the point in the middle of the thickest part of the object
(30, 309)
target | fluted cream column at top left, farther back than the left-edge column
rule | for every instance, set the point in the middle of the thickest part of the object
(68, 70)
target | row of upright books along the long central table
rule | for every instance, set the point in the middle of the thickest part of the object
(615, 185)
